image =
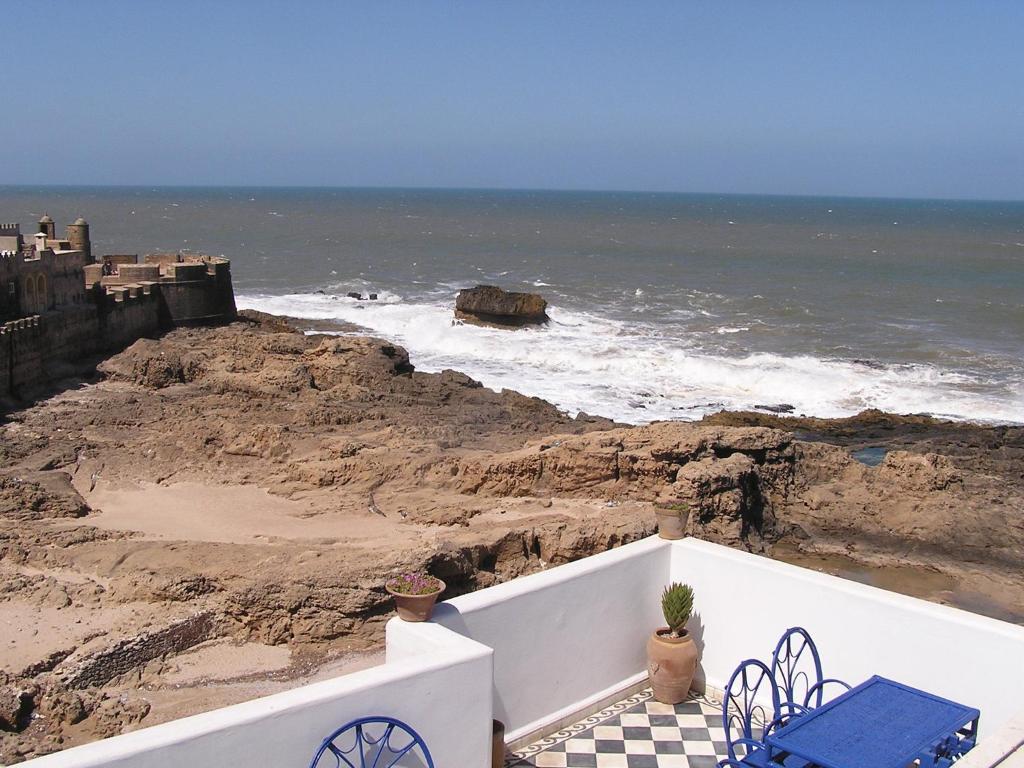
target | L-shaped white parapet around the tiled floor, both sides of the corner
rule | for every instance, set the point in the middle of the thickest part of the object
(571, 636)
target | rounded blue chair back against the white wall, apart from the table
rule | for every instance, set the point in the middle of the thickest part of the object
(373, 743)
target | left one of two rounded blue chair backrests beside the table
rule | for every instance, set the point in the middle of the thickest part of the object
(750, 704)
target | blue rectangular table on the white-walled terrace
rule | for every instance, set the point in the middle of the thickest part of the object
(879, 724)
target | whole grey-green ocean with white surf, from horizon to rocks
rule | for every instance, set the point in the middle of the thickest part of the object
(663, 307)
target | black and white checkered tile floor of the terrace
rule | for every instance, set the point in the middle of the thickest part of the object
(637, 733)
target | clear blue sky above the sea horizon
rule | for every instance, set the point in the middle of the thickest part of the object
(870, 99)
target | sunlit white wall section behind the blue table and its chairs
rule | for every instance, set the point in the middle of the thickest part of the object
(745, 603)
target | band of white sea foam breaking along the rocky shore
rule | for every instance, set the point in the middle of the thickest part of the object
(636, 373)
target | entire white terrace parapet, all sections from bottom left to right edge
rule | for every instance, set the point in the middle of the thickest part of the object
(546, 648)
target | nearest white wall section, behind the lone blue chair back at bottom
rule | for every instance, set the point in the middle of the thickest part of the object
(441, 690)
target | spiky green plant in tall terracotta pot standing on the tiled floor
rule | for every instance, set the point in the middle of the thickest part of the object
(672, 656)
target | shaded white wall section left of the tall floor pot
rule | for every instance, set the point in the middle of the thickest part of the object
(566, 638)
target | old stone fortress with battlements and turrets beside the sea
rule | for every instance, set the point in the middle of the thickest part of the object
(58, 306)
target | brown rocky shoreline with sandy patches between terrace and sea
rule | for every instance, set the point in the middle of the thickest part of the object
(217, 511)
